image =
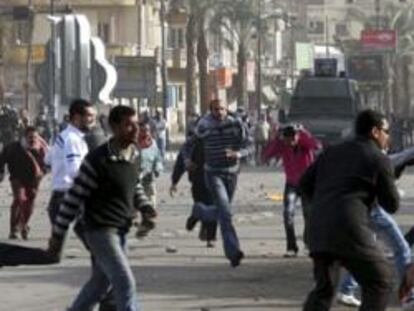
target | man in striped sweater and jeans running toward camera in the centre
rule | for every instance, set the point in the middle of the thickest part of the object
(225, 141)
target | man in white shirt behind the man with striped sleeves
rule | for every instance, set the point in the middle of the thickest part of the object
(68, 152)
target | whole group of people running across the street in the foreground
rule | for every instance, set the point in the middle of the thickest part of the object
(106, 185)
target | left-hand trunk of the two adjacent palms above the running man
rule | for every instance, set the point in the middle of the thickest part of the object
(191, 95)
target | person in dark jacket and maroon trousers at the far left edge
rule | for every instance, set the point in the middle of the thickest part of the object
(25, 163)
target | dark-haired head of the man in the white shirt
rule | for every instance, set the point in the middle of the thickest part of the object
(82, 114)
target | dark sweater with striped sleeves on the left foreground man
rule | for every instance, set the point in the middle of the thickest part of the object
(106, 193)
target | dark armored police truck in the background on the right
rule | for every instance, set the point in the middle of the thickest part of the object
(325, 103)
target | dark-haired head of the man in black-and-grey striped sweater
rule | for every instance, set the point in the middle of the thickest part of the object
(123, 121)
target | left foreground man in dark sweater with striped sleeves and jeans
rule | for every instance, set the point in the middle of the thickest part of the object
(107, 189)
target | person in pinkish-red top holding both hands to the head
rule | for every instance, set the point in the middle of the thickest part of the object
(296, 147)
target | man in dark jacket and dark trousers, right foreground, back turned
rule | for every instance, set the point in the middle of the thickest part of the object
(342, 186)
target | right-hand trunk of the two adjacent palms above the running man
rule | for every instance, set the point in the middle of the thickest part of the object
(202, 57)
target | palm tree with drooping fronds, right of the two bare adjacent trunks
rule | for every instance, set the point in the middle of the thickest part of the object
(237, 19)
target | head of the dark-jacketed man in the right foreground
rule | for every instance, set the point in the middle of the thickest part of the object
(373, 125)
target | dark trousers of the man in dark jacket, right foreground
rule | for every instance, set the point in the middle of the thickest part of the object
(373, 275)
